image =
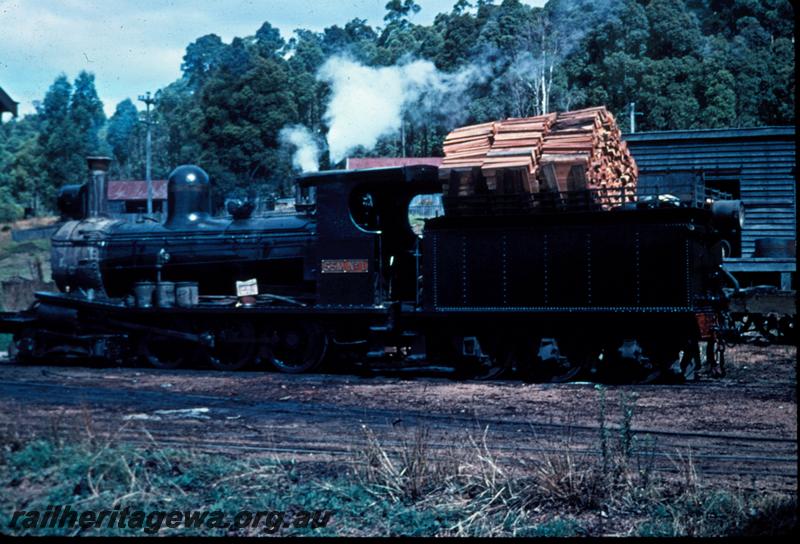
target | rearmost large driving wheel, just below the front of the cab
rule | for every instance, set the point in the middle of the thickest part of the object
(297, 349)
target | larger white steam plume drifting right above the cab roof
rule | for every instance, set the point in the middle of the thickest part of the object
(367, 103)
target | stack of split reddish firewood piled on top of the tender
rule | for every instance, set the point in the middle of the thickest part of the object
(565, 152)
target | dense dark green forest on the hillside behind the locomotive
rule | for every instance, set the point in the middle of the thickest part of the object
(242, 110)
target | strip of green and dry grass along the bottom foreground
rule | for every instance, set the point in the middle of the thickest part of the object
(413, 487)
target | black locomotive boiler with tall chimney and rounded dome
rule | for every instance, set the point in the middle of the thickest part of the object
(109, 256)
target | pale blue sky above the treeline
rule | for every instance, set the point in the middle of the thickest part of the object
(135, 46)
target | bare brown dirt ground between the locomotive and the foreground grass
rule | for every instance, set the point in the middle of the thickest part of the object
(741, 428)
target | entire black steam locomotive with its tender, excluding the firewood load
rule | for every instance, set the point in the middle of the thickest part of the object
(548, 286)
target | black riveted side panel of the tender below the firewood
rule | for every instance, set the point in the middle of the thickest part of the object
(640, 268)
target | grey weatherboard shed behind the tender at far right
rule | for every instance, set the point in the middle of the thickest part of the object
(757, 164)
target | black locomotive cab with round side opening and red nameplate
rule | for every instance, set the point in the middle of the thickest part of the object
(367, 251)
